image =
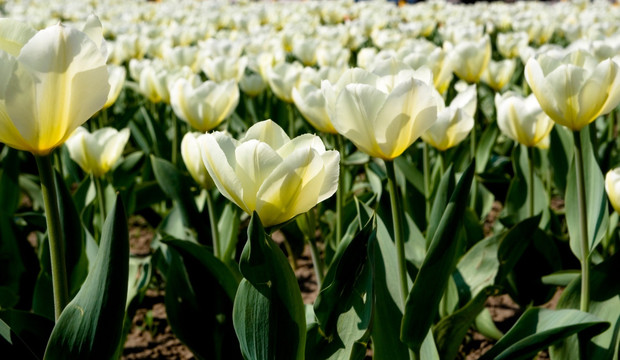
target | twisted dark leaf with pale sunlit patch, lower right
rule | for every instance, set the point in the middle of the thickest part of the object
(486, 265)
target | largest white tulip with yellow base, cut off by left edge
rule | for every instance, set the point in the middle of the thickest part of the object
(58, 81)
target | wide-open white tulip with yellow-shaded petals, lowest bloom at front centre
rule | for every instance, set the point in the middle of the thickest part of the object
(270, 173)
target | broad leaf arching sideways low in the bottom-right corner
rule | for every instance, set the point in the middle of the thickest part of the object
(538, 328)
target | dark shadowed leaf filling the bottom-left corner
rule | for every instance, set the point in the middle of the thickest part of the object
(23, 335)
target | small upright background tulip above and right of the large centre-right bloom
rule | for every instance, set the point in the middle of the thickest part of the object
(468, 59)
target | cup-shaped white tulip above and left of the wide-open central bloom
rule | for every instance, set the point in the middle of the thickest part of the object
(204, 106)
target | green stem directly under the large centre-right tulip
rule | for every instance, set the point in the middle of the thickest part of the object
(398, 230)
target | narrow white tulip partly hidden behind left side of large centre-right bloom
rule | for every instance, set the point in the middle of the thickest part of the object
(311, 103)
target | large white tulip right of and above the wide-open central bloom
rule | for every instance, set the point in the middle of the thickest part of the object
(383, 114)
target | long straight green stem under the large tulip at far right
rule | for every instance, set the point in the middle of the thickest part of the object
(583, 222)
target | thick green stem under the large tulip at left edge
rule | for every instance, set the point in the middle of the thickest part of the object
(56, 240)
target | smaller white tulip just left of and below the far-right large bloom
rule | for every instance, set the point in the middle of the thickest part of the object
(522, 119)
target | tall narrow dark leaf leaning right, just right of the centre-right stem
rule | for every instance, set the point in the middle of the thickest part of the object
(429, 285)
